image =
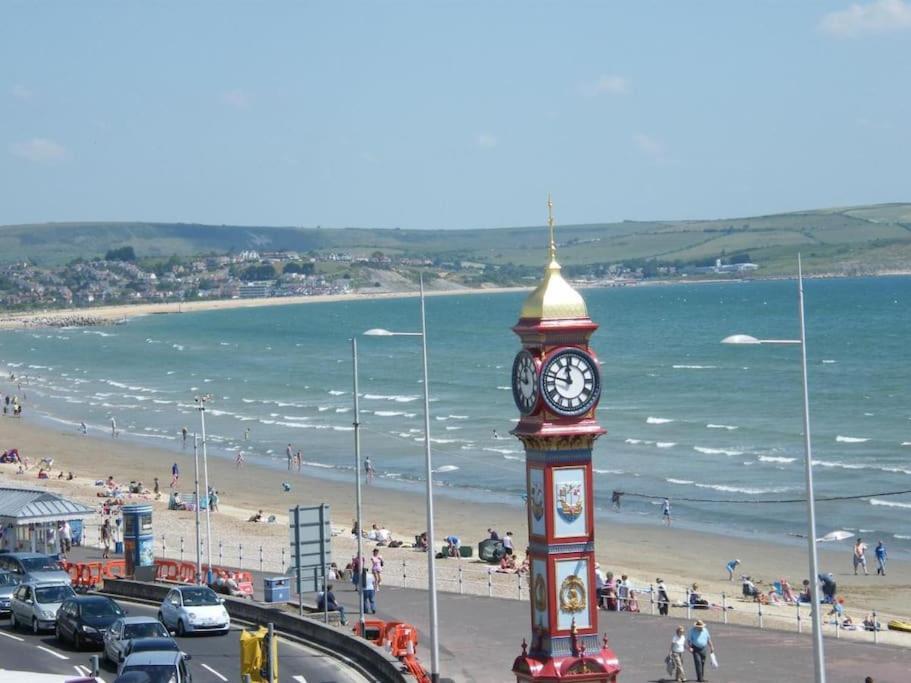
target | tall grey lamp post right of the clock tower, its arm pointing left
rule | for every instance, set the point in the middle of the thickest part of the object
(818, 652)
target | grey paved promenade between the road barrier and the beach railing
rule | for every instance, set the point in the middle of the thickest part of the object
(480, 637)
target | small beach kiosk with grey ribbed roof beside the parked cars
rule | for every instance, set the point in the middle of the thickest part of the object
(29, 519)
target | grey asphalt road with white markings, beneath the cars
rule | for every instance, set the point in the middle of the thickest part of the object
(216, 659)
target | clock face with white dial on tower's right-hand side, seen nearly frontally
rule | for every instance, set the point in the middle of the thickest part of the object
(570, 382)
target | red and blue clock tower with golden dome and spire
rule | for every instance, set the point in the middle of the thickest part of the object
(556, 383)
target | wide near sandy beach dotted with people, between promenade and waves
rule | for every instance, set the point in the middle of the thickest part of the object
(681, 557)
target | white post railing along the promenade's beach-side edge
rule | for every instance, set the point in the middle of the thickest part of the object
(461, 576)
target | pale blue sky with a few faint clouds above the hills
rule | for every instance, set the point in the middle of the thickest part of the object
(431, 114)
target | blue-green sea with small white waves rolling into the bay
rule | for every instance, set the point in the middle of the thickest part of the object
(716, 428)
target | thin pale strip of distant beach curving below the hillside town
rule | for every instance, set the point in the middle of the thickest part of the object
(113, 314)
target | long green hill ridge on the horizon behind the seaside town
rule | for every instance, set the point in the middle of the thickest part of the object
(850, 240)
